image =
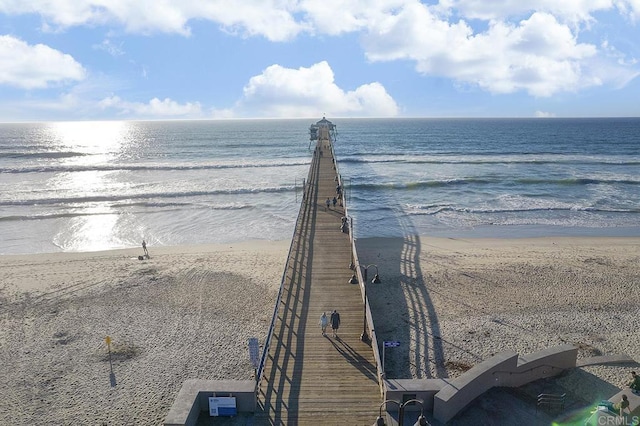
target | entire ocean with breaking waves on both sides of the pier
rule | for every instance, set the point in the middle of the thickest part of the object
(82, 186)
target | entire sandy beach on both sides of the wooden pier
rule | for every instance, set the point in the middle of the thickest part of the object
(188, 312)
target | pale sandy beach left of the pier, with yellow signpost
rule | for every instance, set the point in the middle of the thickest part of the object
(187, 312)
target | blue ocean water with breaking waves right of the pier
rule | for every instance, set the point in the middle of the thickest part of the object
(494, 177)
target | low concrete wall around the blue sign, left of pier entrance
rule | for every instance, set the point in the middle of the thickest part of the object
(193, 399)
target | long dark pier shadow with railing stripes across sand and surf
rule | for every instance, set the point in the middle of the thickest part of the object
(401, 305)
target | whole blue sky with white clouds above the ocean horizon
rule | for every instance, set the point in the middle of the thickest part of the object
(199, 59)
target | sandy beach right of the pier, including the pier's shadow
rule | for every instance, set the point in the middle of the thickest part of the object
(454, 302)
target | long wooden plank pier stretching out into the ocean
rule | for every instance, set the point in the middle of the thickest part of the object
(309, 378)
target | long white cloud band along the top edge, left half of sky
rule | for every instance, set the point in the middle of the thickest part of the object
(274, 20)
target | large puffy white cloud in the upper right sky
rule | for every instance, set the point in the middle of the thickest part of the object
(538, 55)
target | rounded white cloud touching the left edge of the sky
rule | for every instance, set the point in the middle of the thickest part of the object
(35, 66)
